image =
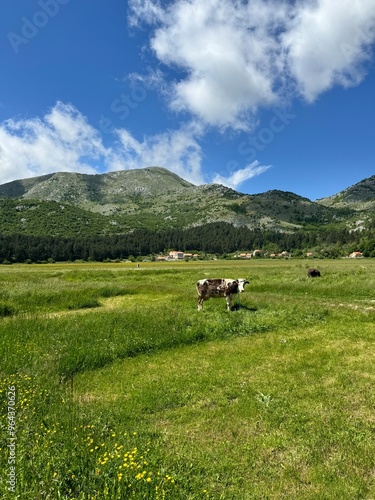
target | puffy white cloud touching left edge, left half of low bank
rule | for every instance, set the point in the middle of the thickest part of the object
(62, 141)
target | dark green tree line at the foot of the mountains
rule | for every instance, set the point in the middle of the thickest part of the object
(215, 238)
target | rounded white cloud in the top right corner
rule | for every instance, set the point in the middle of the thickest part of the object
(328, 44)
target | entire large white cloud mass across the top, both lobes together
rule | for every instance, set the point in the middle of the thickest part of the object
(236, 56)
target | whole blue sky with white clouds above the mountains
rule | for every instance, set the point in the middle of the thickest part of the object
(256, 94)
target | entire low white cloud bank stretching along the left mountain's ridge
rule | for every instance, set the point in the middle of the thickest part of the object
(64, 141)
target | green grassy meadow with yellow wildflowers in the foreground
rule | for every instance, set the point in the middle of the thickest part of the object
(113, 385)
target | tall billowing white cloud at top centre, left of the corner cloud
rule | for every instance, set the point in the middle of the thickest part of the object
(226, 78)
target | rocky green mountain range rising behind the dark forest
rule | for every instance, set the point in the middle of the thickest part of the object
(69, 204)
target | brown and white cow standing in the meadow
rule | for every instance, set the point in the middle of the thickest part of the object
(219, 287)
